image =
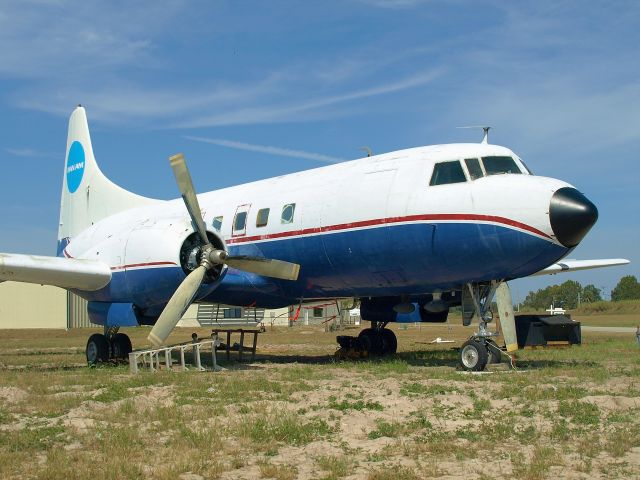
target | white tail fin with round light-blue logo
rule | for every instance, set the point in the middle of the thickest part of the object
(87, 195)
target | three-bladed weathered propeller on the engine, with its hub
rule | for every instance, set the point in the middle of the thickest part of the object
(209, 258)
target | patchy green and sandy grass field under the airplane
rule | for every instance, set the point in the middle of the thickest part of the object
(297, 413)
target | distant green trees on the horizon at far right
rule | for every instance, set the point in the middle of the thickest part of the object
(570, 293)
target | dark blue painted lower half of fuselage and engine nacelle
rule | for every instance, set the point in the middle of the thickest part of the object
(380, 261)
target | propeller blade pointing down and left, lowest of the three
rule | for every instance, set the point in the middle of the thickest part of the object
(176, 306)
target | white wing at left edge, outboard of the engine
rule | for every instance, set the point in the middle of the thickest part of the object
(88, 275)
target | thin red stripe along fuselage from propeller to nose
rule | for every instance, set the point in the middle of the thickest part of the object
(382, 221)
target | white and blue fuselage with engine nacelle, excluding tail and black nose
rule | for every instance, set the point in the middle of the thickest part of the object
(375, 226)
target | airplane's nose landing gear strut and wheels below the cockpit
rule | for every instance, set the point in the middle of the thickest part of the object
(481, 348)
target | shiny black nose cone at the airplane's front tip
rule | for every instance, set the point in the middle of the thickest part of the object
(572, 215)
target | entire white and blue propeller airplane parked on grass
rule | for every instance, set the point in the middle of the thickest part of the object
(410, 233)
